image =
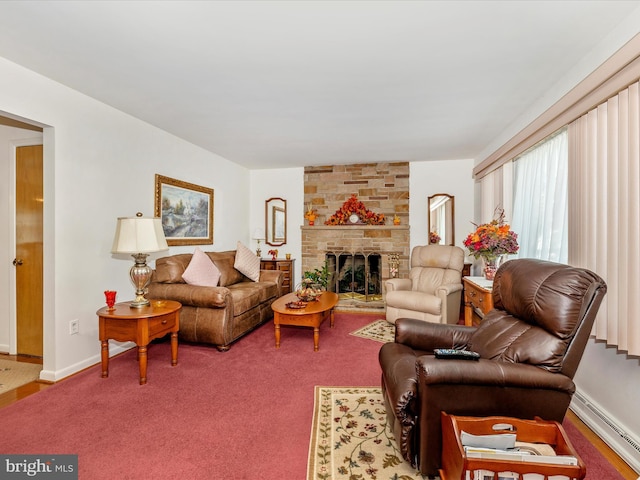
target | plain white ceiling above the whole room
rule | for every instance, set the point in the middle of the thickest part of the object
(271, 84)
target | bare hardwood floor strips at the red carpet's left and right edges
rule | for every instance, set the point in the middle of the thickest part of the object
(625, 470)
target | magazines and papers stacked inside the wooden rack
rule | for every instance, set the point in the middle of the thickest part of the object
(504, 446)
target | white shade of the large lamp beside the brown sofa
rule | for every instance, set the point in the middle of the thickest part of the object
(139, 235)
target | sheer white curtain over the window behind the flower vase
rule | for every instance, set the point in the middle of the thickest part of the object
(540, 200)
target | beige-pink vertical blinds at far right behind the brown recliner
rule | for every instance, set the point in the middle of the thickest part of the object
(604, 206)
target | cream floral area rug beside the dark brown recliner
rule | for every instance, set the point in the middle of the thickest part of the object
(350, 439)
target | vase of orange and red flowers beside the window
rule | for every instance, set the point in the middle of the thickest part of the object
(491, 242)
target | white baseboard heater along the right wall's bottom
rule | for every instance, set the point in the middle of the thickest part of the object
(614, 435)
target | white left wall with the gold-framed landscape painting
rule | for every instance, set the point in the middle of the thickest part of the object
(99, 164)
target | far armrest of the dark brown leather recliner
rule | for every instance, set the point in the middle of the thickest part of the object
(426, 336)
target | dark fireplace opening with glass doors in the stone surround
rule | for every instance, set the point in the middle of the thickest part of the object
(355, 276)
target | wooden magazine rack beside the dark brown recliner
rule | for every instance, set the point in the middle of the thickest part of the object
(457, 466)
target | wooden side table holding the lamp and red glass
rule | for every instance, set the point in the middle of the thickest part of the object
(139, 325)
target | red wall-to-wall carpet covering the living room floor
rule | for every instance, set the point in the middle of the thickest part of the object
(243, 414)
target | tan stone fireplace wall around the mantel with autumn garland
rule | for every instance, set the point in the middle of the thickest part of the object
(383, 188)
